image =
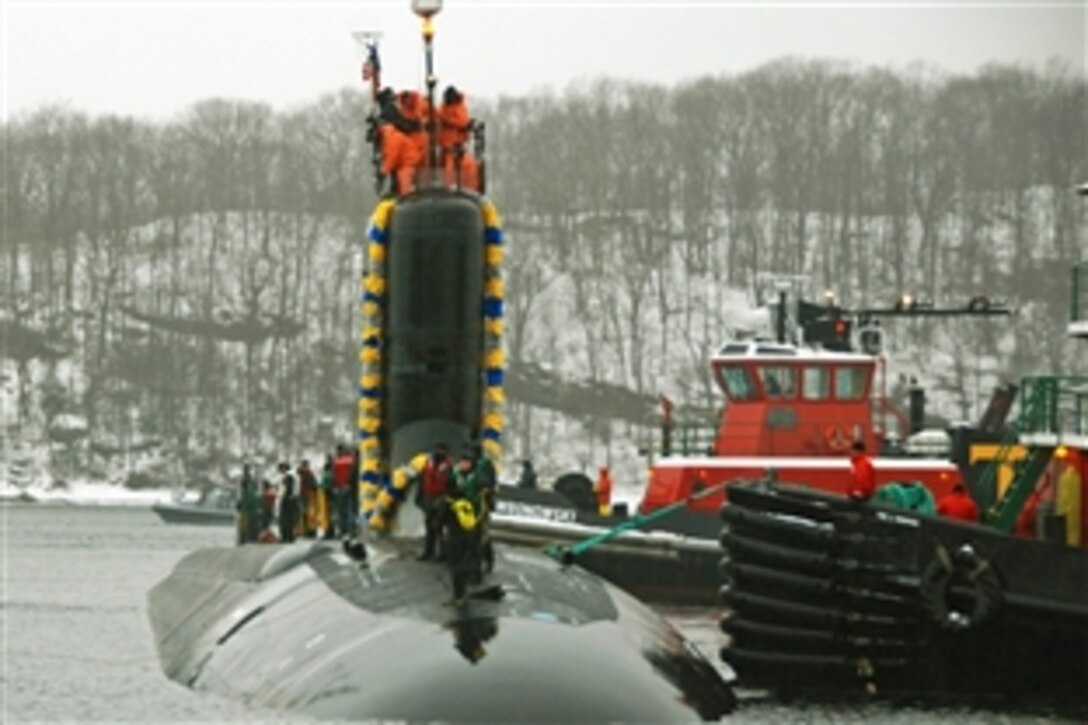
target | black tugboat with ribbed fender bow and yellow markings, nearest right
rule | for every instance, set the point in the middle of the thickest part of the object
(825, 595)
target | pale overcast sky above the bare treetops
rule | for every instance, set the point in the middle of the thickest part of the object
(155, 59)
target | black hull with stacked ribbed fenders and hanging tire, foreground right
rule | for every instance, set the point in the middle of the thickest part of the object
(825, 595)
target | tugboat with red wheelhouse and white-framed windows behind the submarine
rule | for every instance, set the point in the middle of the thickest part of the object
(794, 409)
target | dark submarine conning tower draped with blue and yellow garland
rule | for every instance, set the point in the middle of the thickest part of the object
(431, 349)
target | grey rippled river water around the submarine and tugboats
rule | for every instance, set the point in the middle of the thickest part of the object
(76, 642)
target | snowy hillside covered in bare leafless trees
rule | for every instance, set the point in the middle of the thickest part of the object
(193, 287)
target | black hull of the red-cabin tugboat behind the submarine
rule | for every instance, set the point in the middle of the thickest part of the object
(672, 561)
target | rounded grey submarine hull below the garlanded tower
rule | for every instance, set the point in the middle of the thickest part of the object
(305, 628)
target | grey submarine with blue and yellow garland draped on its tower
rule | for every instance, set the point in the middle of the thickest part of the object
(361, 630)
